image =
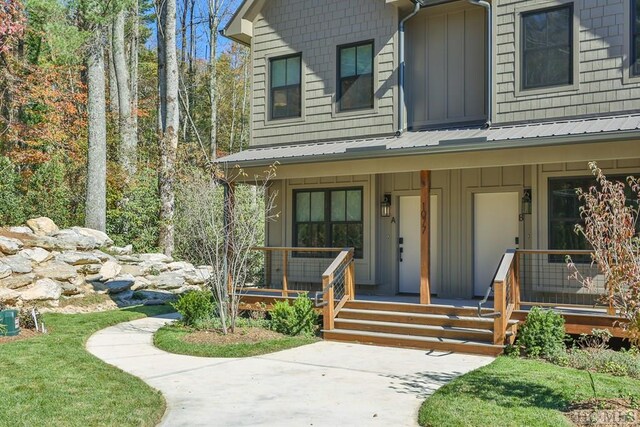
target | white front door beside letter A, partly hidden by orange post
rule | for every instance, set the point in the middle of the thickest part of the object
(409, 233)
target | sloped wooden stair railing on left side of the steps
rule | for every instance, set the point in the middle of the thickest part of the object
(338, 284)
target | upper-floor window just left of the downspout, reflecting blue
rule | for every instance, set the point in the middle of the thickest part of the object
(355, 76)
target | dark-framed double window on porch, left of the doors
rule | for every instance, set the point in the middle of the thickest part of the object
(329, 218)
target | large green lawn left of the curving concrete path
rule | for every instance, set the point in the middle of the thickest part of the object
(52, 380)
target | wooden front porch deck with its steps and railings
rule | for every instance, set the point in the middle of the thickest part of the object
(523, 279)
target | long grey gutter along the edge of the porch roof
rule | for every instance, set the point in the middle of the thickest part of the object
(452, 146)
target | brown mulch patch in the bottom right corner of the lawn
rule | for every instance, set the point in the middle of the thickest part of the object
(604, 413)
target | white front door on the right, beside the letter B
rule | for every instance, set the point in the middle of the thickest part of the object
(495, 229)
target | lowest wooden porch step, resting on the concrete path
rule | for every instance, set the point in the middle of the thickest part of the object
(418, 342)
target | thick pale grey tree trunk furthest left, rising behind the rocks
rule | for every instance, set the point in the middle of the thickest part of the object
(96, 203)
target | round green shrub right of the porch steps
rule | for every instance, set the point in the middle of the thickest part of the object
(542, 334)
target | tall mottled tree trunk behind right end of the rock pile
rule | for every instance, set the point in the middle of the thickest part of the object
(169, 137)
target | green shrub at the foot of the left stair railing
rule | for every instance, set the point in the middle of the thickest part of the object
(298, 318)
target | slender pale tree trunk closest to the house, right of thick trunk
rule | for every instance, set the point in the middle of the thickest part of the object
(214, 21)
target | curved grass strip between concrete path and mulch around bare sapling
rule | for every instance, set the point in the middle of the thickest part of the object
(171, 338)
